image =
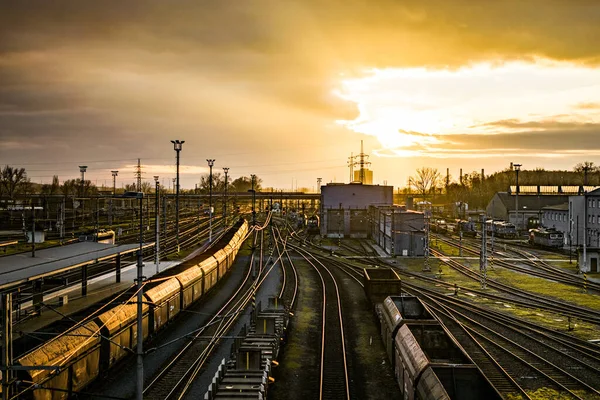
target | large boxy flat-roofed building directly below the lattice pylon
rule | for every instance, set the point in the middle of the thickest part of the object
(345, 208)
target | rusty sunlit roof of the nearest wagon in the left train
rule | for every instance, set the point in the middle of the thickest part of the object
(58, 351)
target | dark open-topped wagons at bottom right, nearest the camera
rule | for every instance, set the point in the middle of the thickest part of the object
(427, 361)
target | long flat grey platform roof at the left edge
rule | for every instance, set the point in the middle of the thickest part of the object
(21, 268)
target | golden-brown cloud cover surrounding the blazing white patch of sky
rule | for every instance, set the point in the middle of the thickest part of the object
(85, 78)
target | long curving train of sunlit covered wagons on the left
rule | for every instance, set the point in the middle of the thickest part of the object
(95, 345)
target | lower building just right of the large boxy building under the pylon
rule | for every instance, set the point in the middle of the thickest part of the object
(399, 232)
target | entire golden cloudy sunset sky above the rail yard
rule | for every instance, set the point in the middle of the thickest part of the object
(287, 90)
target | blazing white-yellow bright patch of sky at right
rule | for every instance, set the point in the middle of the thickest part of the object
(444, 113)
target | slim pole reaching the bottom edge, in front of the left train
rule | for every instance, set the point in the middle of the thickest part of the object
(140, 299)
